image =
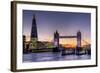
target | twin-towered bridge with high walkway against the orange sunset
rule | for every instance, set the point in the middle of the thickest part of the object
(57, 45)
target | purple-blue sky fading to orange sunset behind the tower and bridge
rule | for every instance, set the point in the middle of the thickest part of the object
(67, 23)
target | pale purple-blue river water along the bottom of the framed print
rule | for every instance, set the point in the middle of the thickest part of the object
(52, 56)
